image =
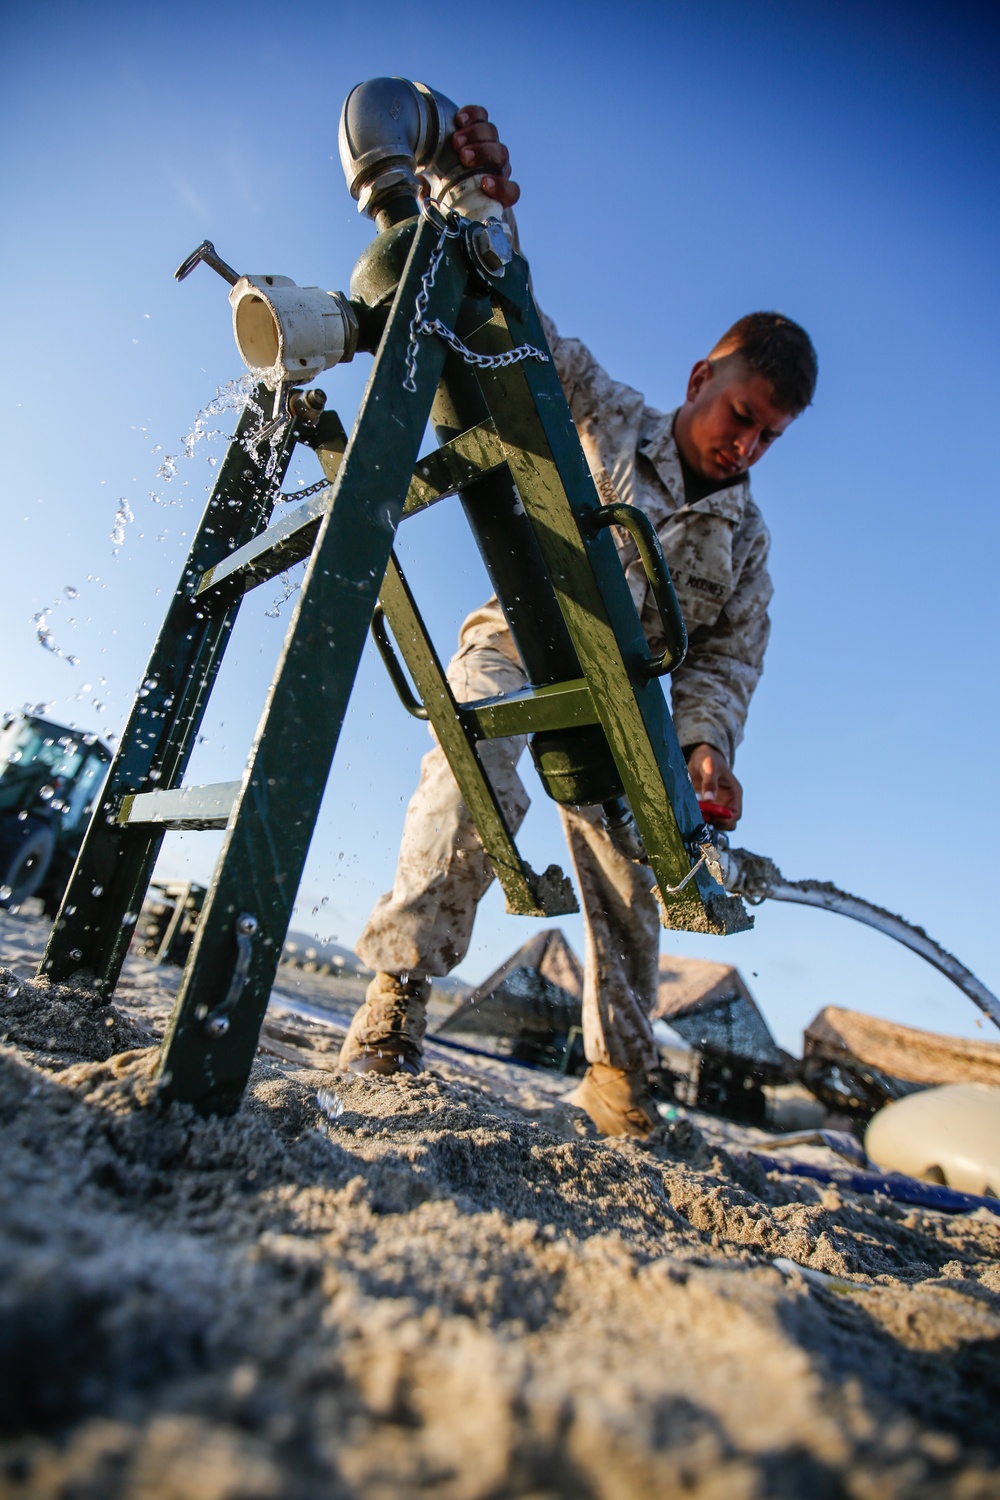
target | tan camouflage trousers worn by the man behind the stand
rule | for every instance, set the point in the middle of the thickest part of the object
(425, 923)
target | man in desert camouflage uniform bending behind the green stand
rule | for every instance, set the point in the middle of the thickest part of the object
(687, 470)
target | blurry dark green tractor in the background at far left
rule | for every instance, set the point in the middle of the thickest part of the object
(50, 781)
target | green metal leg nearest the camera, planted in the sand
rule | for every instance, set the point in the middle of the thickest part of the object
(214, 1034)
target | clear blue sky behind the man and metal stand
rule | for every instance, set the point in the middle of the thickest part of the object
(680, 166)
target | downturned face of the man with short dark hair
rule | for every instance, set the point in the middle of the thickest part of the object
(729, 419)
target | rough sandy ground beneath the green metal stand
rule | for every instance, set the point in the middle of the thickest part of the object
(448, 1286)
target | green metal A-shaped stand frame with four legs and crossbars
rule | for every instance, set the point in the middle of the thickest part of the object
(510, 451)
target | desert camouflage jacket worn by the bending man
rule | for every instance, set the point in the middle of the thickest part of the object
(716, 550)
